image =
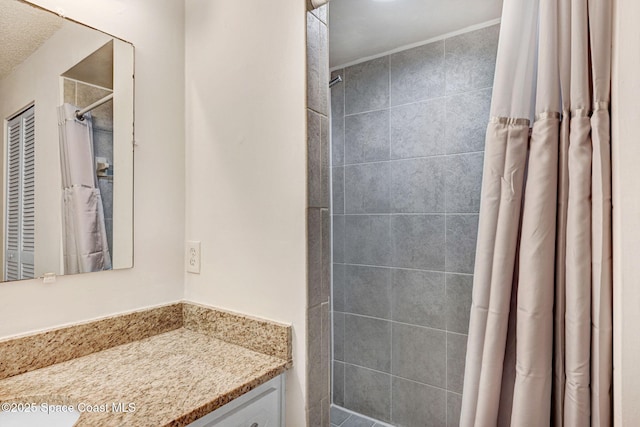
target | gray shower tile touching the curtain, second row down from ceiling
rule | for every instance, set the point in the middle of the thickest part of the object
(467, 118)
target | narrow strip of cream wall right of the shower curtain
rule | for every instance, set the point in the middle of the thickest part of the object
(626, 212)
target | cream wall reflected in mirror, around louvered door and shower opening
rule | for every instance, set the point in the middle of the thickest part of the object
(37, 79)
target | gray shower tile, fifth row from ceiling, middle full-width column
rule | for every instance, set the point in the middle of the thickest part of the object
(418, 298)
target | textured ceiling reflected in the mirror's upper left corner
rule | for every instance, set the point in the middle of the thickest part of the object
(23, 29)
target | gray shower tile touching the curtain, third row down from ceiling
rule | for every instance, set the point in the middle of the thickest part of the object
(463, 182)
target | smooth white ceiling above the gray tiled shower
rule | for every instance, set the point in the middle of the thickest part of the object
(362, 28)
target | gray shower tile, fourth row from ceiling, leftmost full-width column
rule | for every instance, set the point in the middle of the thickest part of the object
(368, 239)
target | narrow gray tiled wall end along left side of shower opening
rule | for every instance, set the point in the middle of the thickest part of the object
(318, 222)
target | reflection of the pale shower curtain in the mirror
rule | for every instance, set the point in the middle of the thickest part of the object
(85, 247)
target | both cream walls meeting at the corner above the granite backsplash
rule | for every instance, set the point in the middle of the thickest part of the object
(246, 159)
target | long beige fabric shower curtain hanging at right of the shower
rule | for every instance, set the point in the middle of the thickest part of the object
(539, 351)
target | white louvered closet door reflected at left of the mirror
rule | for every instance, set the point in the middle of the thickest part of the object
(20, 196)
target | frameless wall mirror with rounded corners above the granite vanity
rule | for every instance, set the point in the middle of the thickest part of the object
(66, 175)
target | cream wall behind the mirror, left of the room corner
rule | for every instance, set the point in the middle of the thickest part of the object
(156, 28)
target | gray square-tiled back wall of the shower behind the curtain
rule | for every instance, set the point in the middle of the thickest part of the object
(407, 139)
